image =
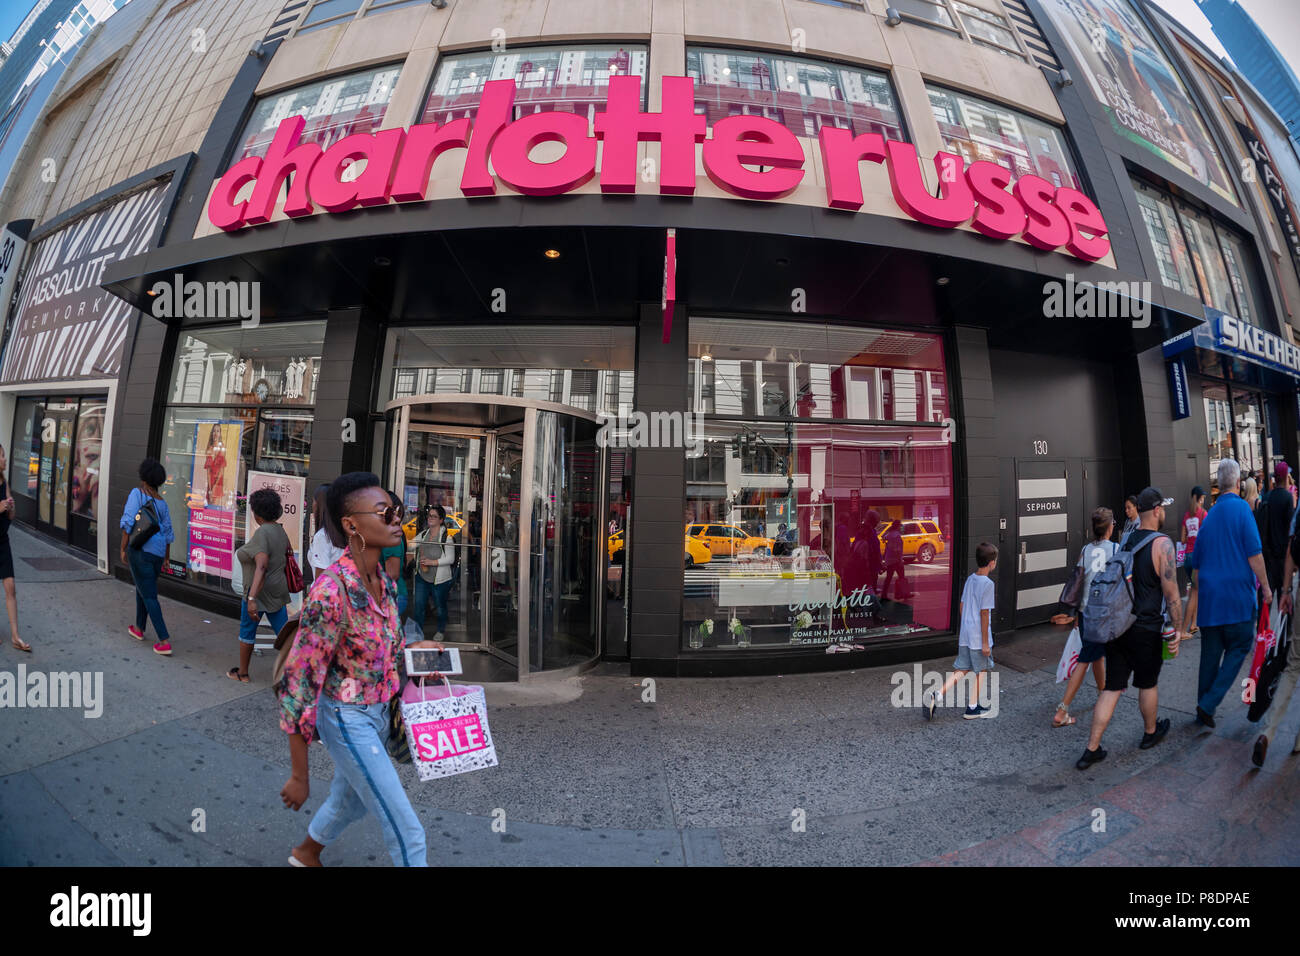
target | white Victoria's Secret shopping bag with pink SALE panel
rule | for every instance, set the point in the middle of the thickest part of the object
(448, 729)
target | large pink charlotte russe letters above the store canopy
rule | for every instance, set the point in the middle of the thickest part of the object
(398, 165)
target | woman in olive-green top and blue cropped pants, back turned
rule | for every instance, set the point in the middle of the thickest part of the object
(265, 560)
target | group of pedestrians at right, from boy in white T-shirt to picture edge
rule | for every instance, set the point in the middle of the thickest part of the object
(1141, 598)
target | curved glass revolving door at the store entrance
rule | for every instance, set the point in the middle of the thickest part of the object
(521, 486)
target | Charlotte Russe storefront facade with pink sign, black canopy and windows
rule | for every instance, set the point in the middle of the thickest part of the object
(712, 367)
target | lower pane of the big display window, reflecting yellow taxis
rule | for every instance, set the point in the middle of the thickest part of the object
(796, 524)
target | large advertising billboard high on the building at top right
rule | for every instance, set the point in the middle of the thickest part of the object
(1133, 79)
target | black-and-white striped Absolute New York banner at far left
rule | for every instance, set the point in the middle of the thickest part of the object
(67, 327)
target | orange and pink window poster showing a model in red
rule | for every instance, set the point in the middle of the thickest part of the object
(213, 496)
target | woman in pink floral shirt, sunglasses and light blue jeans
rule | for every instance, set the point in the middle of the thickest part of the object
(340, 677)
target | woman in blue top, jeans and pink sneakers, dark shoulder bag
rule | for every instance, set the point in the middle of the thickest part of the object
(144, 551)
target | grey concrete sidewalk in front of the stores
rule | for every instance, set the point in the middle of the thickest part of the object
(710, 773)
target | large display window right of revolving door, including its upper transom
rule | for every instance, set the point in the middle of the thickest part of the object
(804, 533)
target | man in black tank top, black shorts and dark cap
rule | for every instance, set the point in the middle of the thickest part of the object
(1138, 651)
